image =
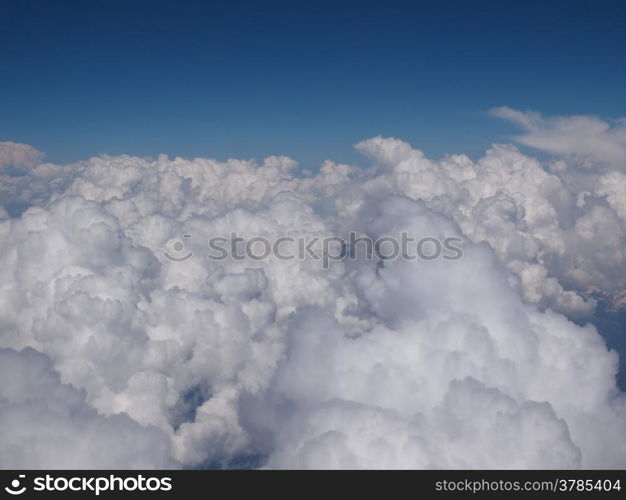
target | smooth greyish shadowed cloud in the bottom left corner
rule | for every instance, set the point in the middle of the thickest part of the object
(48, 424)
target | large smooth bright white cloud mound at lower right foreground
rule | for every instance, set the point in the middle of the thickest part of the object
(456, 372)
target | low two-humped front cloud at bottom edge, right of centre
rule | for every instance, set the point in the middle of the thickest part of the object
(459, 433)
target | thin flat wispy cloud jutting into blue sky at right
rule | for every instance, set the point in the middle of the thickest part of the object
(588, 139)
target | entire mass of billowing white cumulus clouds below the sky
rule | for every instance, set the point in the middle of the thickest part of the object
(401, 363)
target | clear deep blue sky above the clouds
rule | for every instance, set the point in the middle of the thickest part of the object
(306, 79)
